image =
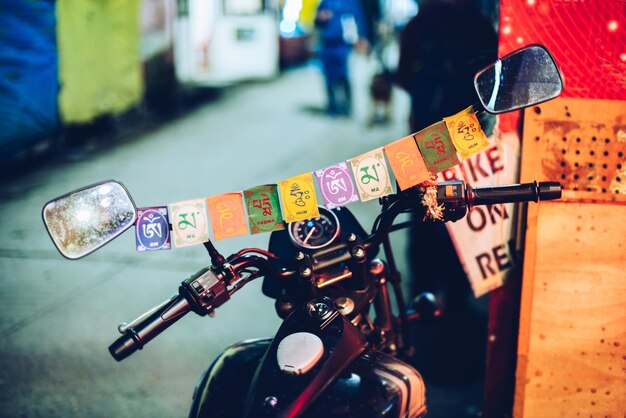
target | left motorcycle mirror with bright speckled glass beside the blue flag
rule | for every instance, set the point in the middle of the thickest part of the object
(84, 220)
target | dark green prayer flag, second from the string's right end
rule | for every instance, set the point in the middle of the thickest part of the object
(436, 147)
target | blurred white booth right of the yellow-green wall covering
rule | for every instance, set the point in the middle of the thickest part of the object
(221, 42)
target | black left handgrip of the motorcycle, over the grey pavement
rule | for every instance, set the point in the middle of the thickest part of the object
(144, 329)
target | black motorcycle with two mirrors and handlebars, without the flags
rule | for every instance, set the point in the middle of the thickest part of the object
(344, 347)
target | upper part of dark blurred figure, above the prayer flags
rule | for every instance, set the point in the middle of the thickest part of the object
(441, 49)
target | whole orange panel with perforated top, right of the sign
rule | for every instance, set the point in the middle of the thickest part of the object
(572, 338)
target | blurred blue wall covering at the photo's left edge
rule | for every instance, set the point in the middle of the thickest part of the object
(28, 76)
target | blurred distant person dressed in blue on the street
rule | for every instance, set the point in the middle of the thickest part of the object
(341, 26)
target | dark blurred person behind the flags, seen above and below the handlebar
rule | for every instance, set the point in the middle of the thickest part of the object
(441, 48)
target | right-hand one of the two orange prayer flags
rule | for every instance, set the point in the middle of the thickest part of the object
(406, 162)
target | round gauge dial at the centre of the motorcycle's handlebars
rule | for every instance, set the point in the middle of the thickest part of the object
(315, 233)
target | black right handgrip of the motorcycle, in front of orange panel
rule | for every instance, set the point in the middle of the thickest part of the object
(514, 193)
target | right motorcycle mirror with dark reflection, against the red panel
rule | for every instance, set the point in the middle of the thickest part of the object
(522, 78)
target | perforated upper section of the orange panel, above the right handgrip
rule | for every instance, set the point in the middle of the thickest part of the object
(579, 142)
